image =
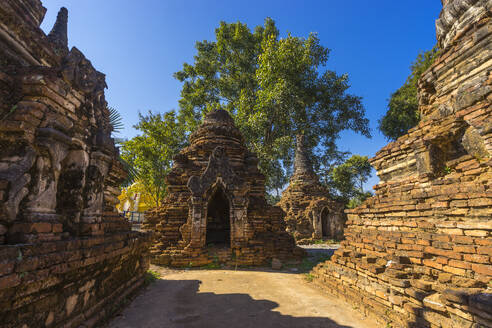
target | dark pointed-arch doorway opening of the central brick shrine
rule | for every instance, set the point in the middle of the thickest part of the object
(218, 219)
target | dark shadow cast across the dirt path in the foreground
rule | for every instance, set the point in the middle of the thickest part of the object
(184, 306)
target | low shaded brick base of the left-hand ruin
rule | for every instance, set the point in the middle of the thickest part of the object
(70, 282)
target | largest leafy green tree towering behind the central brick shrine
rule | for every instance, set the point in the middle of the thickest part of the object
(274, 88)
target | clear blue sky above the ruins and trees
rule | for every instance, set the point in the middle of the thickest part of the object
(140, 44)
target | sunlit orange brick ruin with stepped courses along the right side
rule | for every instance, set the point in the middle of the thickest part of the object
(419, 253)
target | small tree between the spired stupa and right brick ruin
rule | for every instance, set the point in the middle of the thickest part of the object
(348, 180)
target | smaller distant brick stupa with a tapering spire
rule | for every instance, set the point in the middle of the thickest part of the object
(311, 213)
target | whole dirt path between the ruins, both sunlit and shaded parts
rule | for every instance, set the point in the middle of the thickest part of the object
(238, 299)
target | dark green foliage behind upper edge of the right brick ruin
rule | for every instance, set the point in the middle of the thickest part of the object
(403, 113)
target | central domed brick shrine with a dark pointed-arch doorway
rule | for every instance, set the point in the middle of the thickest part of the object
(216, 210)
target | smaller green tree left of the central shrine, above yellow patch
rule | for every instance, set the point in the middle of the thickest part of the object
(150, 154)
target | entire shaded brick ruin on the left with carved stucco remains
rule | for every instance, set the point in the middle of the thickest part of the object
(66, 256)
